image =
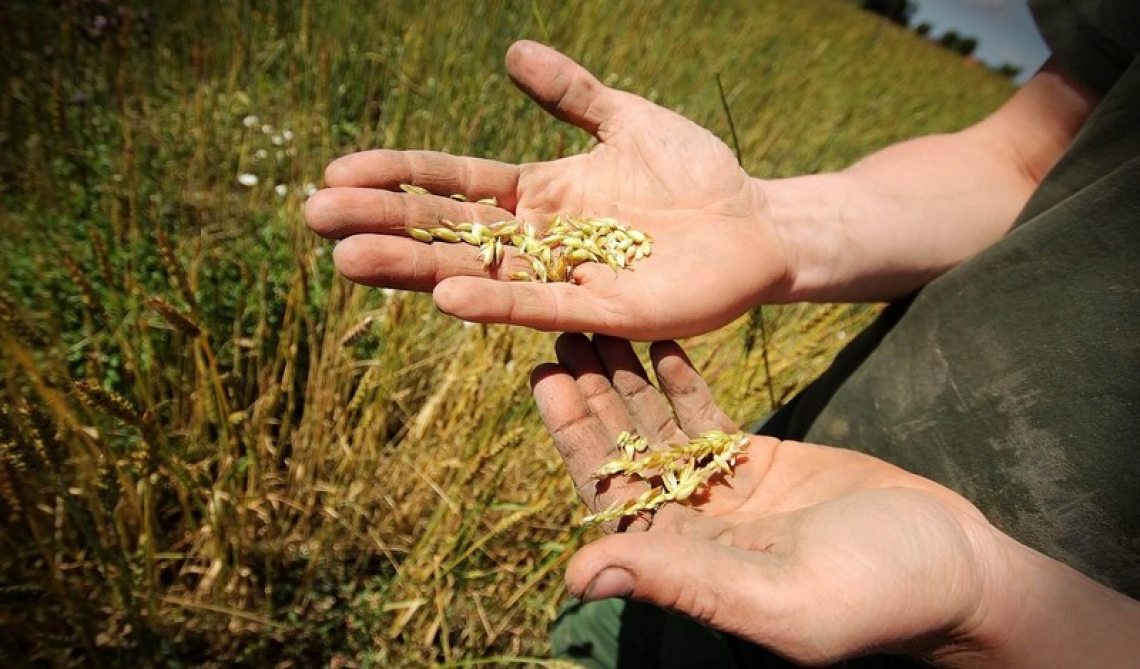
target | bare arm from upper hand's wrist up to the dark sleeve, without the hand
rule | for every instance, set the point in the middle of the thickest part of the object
(901, 217)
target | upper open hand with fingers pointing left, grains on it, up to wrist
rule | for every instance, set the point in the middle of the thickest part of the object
(715, 256)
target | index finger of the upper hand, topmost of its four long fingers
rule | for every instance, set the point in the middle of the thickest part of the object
(441, 174)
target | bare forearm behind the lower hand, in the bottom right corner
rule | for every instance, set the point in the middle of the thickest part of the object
(1044, 614)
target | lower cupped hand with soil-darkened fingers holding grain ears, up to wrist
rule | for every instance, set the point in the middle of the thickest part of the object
(817, 553)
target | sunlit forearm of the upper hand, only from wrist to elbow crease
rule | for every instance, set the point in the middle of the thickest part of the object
(892, 223)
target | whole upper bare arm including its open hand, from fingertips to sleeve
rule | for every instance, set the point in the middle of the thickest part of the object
(874, 232)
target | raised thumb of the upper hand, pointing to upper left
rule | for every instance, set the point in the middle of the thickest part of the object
(563, 87)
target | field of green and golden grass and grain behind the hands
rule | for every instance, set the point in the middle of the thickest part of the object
(216, 452)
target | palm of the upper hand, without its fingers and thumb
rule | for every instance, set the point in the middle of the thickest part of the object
(659, 173)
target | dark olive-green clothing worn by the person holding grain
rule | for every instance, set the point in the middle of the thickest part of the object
(1014, 379)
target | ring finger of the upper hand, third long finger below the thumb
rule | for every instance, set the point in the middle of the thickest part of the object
(398, 263)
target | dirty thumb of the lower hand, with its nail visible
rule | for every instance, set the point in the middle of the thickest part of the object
(711, 583)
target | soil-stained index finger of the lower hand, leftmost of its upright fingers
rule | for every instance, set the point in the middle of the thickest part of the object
(582, 440)
